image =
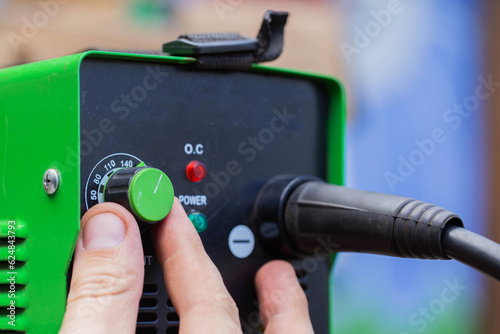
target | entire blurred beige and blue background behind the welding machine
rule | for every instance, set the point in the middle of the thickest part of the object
(418, 125)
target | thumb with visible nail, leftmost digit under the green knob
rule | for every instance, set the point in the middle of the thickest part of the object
(108, 273)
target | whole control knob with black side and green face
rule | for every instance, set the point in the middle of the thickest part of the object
(145, 191)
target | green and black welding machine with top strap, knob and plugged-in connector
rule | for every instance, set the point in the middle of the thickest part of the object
(245, 147)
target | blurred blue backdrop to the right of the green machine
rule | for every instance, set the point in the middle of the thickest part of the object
(412, 67)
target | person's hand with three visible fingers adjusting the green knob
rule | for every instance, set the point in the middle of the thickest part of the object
(108, 275)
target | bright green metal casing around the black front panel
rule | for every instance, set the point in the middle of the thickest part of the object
(40, 129)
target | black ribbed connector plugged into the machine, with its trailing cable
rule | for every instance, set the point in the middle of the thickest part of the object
(310, 213)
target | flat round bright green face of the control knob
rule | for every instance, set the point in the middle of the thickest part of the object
(151, 194)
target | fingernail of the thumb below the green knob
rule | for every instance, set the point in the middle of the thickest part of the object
(103, 231)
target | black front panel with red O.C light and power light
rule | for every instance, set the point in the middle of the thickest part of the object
(219, 136)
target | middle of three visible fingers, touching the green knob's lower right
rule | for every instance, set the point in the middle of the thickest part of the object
(193, 282)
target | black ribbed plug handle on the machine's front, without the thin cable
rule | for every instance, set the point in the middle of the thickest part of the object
(361, 221)
